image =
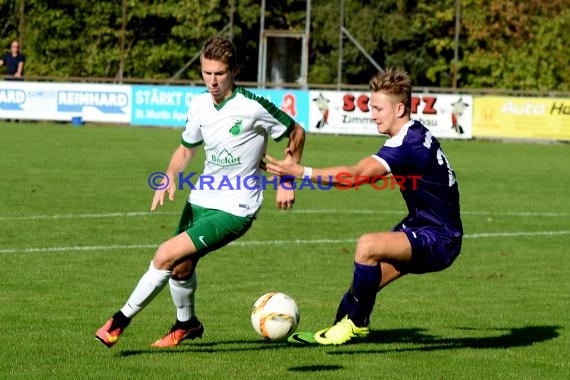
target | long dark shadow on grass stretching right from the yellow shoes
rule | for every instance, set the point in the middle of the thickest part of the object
(422, 341)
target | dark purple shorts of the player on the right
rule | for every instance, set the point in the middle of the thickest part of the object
(433, 249)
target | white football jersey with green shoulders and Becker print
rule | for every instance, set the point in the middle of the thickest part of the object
(234, 135)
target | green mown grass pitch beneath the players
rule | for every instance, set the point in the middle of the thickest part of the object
(76, 235)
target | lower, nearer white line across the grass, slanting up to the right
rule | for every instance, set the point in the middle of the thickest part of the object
(265, 242)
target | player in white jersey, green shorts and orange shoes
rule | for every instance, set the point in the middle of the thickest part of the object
(233, 125)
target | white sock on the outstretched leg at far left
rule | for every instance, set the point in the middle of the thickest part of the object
(150, 284)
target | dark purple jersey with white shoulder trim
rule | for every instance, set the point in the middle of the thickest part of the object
(434, 200)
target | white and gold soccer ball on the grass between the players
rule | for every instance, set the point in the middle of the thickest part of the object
(275, 316)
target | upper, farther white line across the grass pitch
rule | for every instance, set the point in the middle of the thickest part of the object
(296, 211)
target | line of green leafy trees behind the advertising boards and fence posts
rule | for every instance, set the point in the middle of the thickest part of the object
(501, 44)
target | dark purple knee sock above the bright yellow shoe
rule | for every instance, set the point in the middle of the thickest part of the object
(365, 285)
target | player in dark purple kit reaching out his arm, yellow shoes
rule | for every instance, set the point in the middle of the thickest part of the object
(428, 239)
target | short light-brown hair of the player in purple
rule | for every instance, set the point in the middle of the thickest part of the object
(394, 82)
